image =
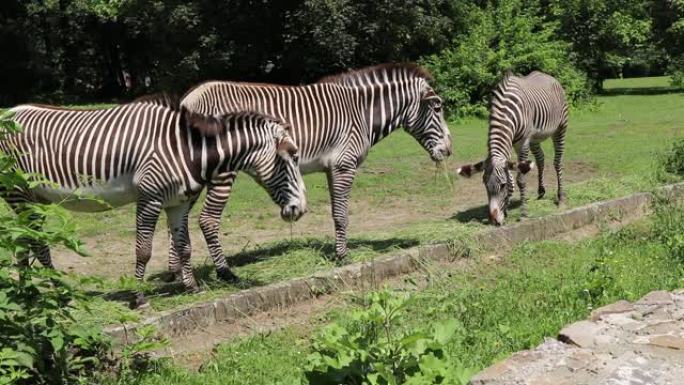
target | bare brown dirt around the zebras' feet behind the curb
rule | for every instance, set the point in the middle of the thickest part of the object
(113, 255)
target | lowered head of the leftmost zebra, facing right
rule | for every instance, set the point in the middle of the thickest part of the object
(277, 170)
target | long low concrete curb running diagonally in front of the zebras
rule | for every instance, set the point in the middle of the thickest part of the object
(174, 323)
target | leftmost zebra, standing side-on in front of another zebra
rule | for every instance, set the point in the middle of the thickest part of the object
(158, 157)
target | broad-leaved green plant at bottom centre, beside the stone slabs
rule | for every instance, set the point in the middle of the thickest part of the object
(374, 349)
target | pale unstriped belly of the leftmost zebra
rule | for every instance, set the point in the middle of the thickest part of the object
(103, 196)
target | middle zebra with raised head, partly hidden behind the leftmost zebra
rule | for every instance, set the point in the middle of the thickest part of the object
(335, 123)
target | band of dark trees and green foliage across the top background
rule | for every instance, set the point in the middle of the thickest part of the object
(68, 50)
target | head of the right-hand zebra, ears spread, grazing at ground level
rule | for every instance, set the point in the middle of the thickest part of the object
(498, 181)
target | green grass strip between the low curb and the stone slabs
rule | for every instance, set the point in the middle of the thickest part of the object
(504, 307)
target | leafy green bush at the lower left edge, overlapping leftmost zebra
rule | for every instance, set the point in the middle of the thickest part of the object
(41, 341)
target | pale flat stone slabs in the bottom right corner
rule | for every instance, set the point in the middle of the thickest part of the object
(625, 343)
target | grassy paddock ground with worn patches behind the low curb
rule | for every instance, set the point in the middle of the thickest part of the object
(398, 201)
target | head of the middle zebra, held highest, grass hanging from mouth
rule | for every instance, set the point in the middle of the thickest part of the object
(426, 123)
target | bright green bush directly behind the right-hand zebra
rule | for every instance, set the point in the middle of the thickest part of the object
(507, 37)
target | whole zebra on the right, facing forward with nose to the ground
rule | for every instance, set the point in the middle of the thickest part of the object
(525, 111)
